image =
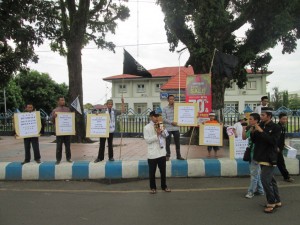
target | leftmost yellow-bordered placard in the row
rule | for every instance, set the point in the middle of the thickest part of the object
(27, 124)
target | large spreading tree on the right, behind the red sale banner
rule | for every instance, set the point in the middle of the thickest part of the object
(203, 26)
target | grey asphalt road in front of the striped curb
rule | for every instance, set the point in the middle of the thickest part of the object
(217, 201)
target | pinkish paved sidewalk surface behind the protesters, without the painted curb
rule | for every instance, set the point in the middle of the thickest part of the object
(12, 150)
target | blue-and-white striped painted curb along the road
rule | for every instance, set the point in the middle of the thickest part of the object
(85, 170)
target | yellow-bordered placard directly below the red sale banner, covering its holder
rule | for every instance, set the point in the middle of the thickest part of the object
(211, 134)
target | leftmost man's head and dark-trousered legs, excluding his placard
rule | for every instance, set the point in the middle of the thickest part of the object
(34, 141)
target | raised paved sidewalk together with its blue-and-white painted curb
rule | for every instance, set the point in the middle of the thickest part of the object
(130, 162)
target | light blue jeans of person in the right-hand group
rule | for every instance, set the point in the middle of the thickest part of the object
(255, 181)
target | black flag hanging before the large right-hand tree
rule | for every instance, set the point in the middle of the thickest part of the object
(224, 64)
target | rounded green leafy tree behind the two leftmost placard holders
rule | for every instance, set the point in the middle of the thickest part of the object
(40, 90)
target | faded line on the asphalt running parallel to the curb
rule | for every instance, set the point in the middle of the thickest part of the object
(132, 191)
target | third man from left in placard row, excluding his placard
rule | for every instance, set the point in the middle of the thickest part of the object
(112, 125)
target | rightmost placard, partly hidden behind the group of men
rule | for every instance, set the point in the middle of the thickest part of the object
(237, 147)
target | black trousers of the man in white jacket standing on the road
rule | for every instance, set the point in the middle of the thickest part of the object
(161, 163)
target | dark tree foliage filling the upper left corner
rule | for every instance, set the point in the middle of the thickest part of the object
(19, 33)
